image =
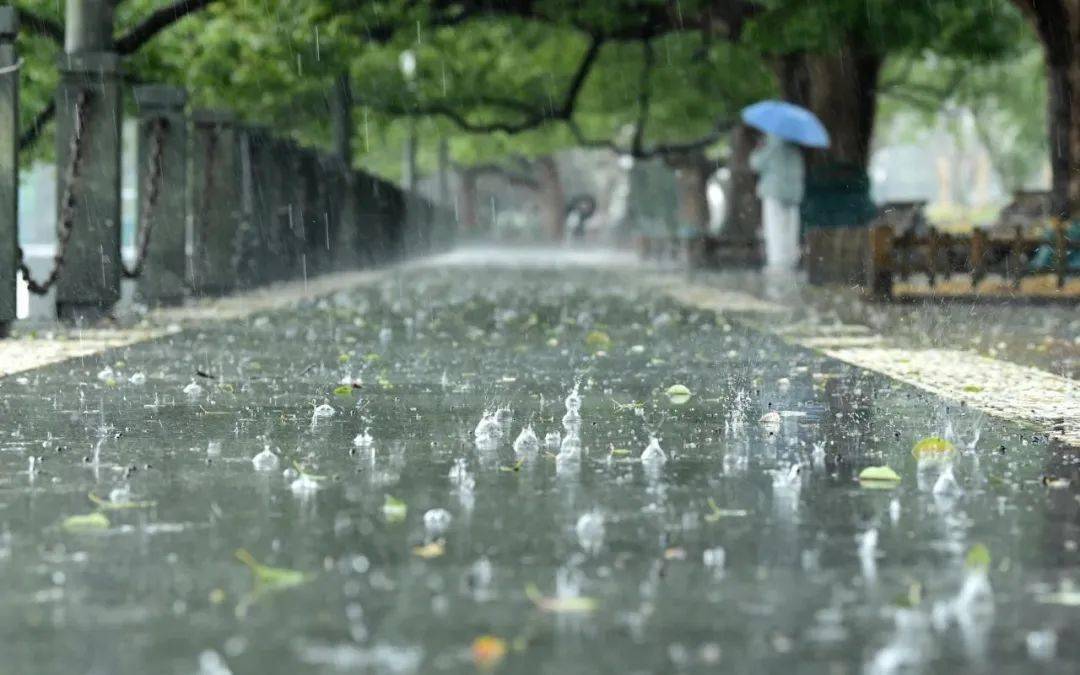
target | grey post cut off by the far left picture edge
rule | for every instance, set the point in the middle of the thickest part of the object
(9, 167)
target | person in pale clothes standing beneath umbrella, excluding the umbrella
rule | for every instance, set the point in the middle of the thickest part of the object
(780, 186)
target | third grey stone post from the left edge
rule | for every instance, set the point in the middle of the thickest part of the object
(163, 178)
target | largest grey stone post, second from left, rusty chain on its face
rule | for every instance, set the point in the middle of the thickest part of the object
(88, 185)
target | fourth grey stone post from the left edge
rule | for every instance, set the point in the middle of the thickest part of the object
(217, 207)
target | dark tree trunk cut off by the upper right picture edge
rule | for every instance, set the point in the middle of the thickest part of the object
(1058, 24)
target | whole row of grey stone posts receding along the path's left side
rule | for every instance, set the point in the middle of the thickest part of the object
(255, 209)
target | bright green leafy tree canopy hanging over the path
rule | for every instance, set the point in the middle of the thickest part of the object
(514, 67)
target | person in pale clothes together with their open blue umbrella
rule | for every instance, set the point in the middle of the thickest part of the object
(782, 174)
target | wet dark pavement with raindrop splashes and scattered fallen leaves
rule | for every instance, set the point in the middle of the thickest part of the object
(404, 532)
